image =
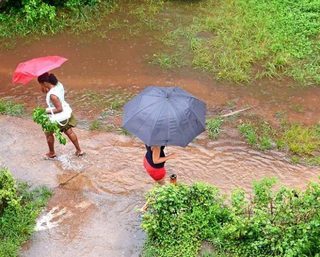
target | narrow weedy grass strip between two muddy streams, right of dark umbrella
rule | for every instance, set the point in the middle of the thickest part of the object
(300, 142)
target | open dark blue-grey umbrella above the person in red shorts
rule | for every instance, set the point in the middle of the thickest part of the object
(165, 116)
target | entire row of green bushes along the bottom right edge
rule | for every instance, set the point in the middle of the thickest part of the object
(273, 223)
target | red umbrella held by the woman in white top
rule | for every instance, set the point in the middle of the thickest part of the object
(33, 68)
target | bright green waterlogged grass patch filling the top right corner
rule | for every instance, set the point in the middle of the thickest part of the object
(237, 40)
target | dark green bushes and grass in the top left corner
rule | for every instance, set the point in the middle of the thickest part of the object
(39, 17)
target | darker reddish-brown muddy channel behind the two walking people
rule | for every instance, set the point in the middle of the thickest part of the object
(118, 62)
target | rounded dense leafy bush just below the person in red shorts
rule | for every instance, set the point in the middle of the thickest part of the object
(180, 217)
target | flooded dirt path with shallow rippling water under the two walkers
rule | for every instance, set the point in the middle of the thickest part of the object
(94, 213)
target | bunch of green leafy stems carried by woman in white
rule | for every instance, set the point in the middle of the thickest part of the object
(41, 117)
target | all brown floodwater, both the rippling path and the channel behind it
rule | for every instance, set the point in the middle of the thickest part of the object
(93, 211)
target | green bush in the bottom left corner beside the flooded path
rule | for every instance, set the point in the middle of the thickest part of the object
(19, 208)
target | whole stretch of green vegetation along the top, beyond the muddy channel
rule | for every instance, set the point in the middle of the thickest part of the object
(236, 40)
